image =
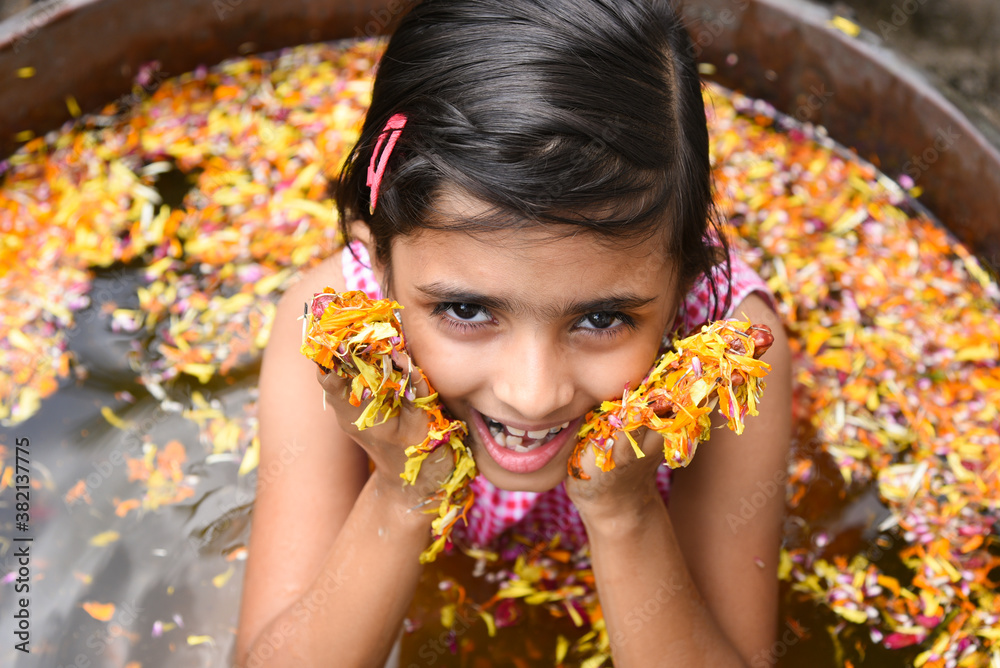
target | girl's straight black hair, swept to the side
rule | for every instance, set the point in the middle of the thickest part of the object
(563, 113)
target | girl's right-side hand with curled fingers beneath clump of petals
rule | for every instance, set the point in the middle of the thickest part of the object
(628, 487)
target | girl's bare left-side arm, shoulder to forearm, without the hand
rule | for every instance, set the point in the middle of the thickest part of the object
(320, 543)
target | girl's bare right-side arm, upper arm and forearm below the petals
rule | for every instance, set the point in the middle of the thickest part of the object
(683, 587)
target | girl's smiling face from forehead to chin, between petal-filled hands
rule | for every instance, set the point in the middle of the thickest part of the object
(522, 333)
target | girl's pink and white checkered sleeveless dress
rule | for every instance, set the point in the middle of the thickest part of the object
(540, 516)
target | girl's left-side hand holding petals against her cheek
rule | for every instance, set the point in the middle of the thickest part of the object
(386, 443)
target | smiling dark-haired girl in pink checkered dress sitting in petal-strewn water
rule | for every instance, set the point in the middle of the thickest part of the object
(532, 185)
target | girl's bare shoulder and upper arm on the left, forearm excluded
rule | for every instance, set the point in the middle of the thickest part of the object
(306, 462)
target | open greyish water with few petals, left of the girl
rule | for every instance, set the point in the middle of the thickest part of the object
(160, 569)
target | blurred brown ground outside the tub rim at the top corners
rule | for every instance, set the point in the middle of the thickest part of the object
(957, 42)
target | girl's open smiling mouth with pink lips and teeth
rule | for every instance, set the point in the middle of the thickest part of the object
(522, 450)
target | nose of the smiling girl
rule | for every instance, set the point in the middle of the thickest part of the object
(534, 378)
